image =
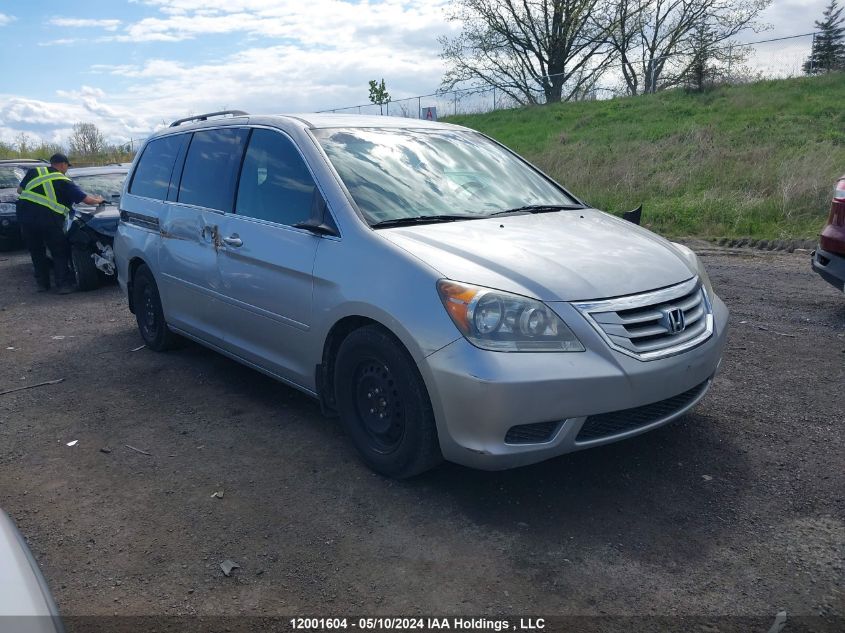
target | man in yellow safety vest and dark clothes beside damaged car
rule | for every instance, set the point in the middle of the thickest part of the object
(46, 197)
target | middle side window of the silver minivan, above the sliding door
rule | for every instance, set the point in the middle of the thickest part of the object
(211, 168)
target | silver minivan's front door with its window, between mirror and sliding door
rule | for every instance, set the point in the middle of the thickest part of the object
(265, 263)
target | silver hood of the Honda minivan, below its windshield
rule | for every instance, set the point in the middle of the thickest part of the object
(562, 256)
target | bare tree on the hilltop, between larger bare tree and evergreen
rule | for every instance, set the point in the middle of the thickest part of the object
(661, 42)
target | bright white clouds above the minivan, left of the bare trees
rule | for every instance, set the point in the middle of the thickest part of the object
(296, 56)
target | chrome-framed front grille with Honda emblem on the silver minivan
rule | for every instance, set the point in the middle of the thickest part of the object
(654, 324)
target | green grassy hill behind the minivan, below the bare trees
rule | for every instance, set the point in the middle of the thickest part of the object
(757, 160)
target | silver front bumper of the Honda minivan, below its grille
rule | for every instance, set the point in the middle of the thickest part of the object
(479, 396)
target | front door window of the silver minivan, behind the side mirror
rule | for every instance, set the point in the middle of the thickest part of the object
(275, 183)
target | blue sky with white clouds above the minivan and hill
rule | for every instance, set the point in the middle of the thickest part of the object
(132, 66)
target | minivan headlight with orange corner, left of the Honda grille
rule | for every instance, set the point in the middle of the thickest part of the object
(504, 322)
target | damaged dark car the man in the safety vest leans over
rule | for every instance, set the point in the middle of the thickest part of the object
(91, 230)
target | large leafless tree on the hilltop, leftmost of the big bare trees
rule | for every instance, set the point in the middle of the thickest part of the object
(532, 50)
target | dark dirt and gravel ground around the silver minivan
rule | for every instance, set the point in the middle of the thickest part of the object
(736, 510)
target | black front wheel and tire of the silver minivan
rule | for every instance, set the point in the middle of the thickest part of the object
(383, 404)
